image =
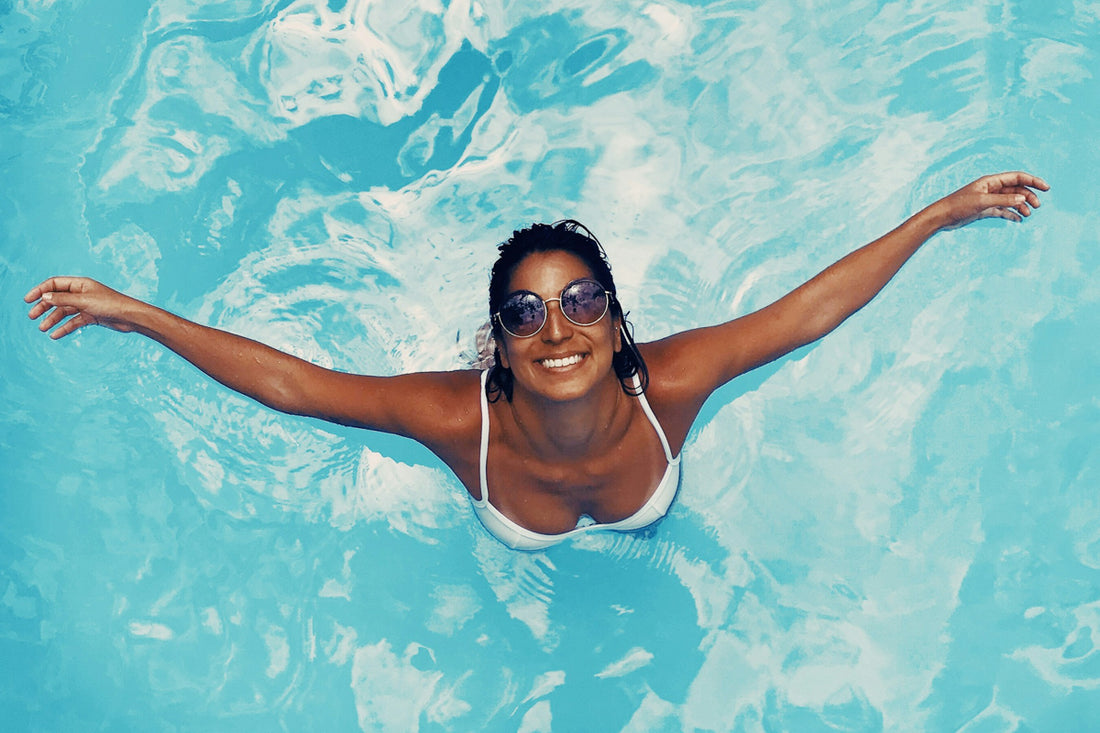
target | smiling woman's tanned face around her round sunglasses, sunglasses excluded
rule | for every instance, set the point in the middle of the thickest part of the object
(564, 362)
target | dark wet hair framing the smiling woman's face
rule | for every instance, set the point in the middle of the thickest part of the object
(565, 236)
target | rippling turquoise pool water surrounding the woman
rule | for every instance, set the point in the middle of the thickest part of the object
(896, 530)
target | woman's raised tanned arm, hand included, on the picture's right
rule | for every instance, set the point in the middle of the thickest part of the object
(695, 364)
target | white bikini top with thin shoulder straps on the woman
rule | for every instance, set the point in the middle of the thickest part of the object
(522, 539)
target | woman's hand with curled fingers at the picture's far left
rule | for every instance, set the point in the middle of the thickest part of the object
(80, 302)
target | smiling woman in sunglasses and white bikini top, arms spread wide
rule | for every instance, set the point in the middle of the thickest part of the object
(575, 420)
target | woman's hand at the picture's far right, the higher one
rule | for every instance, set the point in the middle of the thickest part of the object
(1003, 195)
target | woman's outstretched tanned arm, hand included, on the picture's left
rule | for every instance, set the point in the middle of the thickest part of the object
(412, 406)
